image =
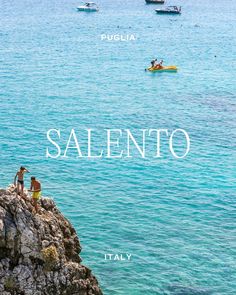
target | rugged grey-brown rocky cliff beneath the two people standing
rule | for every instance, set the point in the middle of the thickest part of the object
(39, 253)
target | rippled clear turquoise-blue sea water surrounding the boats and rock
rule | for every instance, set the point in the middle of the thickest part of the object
(176, 217)
